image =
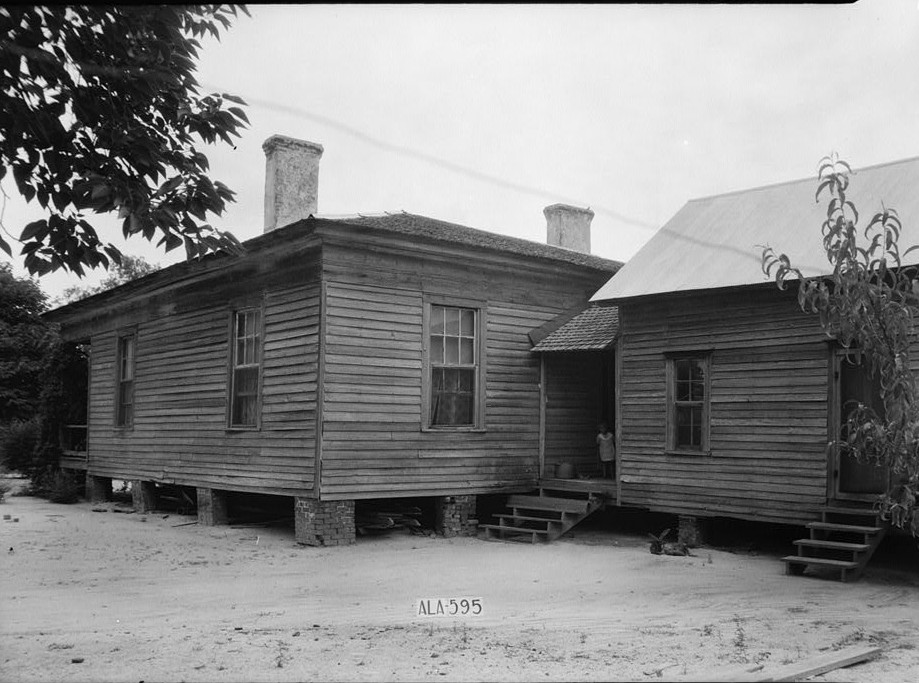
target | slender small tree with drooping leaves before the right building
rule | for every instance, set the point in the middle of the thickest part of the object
(868, 303)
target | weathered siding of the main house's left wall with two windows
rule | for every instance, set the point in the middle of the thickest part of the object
(179, 433)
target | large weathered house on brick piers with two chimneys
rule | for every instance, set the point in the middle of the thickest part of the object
(339, 359)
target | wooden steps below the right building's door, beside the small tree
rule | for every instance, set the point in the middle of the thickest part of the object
(844, 541)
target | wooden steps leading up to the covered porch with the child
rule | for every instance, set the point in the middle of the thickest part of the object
(544, 516)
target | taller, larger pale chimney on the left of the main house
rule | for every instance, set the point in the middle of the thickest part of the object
(291, 180)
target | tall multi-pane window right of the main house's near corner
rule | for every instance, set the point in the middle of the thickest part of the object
(454, 367)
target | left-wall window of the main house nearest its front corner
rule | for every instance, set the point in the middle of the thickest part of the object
(245, 367)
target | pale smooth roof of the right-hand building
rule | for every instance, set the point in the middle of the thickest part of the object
(712, 242)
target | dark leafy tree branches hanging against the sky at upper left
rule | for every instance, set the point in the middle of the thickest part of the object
(102, 114)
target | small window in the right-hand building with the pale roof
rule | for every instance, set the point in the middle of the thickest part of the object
(688, 403)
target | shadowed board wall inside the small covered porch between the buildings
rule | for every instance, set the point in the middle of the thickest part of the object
(572, 411)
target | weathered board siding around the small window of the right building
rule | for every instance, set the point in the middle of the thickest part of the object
(769, 374)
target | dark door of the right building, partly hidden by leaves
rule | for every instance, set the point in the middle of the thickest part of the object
(854, 480)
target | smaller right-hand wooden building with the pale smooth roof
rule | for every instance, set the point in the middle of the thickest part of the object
(727, 393)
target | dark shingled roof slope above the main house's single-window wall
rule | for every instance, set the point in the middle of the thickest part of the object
(431, 228)
